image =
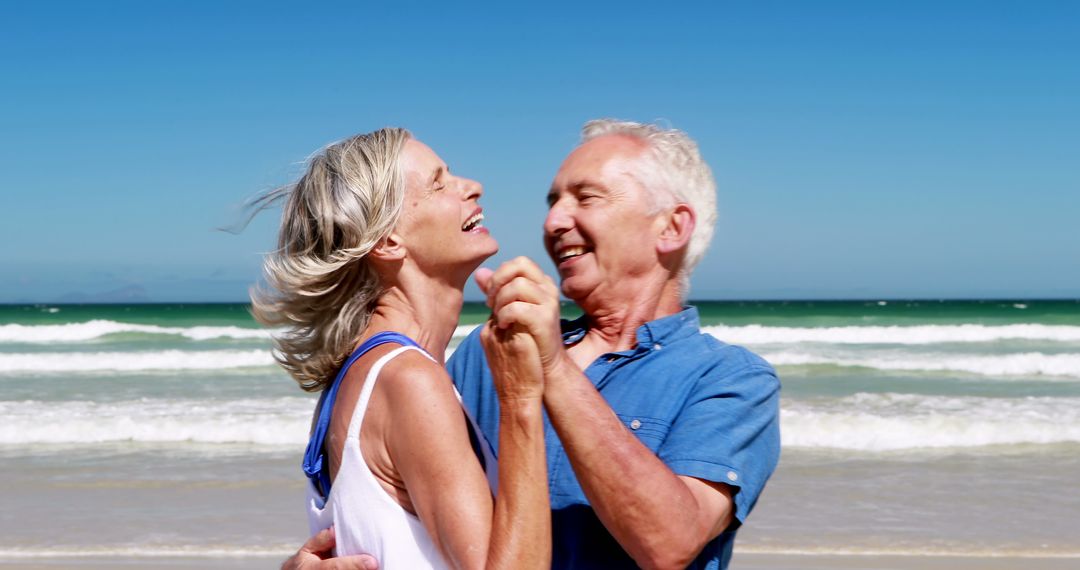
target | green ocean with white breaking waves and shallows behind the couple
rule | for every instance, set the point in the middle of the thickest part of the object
(147, 432)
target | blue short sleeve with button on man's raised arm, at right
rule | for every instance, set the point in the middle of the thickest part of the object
(730, 432)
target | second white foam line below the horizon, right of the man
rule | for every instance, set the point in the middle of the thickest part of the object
(1001, 365)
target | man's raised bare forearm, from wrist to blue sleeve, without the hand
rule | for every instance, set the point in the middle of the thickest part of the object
(650, 510)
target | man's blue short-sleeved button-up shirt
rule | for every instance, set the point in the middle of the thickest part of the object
(707, 410)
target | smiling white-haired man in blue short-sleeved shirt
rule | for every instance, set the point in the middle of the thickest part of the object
(660, 438)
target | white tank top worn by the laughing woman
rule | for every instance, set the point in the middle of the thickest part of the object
(367, 519)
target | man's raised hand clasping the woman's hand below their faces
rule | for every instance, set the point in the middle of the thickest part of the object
(523, 297)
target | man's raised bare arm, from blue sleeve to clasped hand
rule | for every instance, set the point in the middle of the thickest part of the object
(661, 520)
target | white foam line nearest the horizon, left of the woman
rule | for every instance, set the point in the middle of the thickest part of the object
(99, 329)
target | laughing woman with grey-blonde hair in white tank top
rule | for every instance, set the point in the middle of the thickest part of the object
(377, 242)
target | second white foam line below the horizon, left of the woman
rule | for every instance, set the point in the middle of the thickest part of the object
(128, 362)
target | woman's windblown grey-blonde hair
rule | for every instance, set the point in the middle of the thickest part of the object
(321, 288)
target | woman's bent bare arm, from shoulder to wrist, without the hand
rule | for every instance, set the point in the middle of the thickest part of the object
(429, 445)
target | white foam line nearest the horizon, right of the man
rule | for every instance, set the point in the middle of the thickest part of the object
(894, 335)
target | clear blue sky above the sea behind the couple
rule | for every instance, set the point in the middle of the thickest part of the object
(862, 150)
